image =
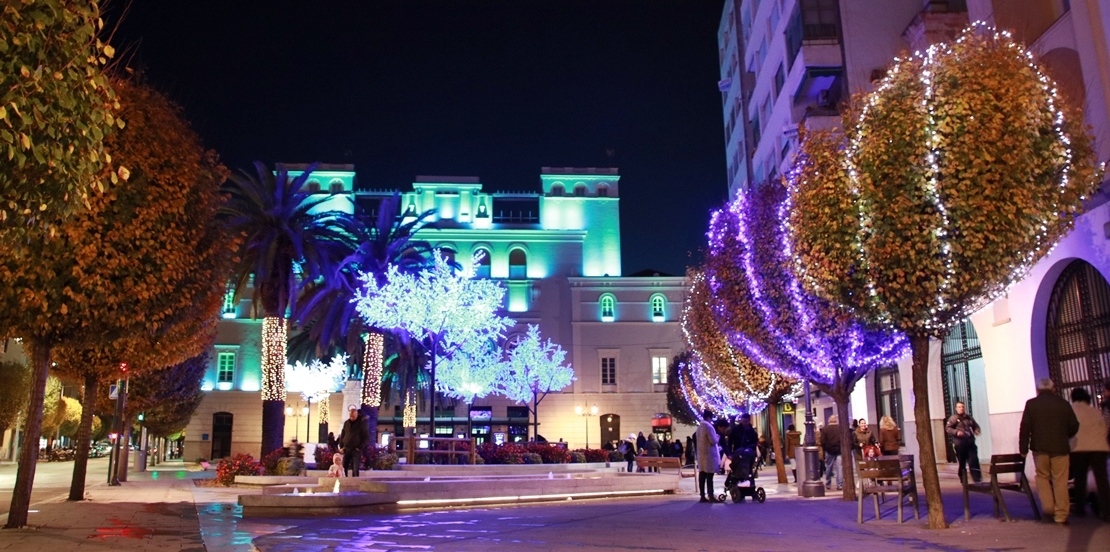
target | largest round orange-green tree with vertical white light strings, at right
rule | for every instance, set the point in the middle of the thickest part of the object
(960, 173)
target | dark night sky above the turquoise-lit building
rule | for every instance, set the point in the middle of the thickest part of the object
(489, 88)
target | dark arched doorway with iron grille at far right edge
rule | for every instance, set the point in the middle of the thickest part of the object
(1078, 332)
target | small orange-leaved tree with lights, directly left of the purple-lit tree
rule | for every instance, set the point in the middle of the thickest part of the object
(736, 379)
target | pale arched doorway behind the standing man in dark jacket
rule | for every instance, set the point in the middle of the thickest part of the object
(964, 380)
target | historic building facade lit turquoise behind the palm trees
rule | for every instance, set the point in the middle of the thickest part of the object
(558, 254)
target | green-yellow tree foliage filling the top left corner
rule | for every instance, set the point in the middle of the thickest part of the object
(56, 108)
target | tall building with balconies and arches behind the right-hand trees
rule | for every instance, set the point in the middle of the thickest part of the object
(1054, 324)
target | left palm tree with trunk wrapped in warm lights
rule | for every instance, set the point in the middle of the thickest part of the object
(285, 240)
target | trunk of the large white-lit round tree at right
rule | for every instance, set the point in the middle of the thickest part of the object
(927, 454)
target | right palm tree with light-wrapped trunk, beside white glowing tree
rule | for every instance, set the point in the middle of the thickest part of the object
(328, 315)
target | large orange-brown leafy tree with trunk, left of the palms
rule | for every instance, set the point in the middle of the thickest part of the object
(174, 256)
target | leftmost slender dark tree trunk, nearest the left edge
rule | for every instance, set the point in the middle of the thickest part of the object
(29, 454)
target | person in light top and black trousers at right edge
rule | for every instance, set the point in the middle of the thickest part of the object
(1089, 450)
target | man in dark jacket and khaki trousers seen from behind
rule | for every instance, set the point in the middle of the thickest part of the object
(1047, 425)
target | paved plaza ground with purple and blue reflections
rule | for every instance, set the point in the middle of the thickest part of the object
(164, 510)
